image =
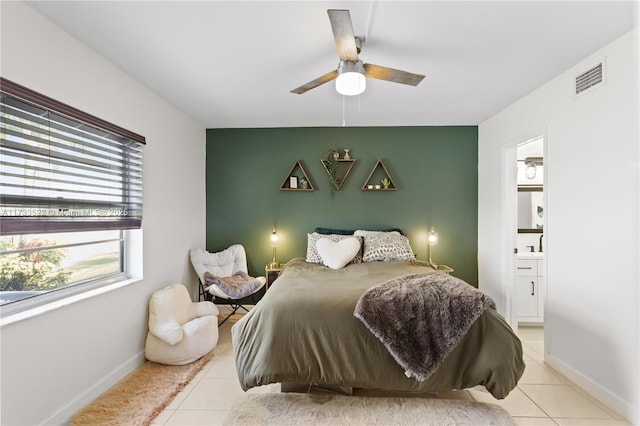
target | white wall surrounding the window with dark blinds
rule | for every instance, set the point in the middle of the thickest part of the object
(55, 363)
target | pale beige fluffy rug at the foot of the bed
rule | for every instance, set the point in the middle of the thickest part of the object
(323, 409)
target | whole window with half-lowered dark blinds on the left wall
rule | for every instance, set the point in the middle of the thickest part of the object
(70, 188)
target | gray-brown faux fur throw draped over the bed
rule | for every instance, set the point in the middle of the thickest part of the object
(420, 318)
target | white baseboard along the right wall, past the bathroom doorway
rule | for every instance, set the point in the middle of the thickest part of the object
(624, 408)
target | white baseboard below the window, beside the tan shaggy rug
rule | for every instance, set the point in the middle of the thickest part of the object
(64, 414)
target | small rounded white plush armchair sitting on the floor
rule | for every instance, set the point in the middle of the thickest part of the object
(180, 331)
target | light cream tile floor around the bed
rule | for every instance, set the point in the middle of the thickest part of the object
(543, 396)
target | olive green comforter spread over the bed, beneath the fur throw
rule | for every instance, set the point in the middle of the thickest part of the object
(303, 331)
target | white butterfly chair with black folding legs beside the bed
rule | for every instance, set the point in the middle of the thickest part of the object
(224, 263)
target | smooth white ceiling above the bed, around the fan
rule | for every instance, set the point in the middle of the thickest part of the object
(232, 64)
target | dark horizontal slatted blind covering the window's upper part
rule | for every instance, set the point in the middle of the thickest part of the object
(64, 170)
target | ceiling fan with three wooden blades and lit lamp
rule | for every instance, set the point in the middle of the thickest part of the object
(351, 73)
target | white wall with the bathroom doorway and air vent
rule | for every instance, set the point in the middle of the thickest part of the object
(591, 234)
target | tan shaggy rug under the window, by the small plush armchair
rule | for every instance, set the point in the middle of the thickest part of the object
(140, 396)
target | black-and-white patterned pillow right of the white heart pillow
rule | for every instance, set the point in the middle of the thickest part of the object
(386, 247)
